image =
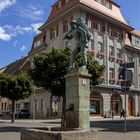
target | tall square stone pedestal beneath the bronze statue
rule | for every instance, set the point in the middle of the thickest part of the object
(77, 93)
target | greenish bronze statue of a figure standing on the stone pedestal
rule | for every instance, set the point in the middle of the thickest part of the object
(82, 35)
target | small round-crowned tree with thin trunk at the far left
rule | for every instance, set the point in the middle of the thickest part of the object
(15, 88)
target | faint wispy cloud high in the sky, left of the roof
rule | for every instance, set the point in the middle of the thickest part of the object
(31, 12)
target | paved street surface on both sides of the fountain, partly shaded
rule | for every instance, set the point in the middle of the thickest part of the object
(107, 129)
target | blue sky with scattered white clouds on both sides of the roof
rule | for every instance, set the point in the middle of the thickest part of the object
(19, 20)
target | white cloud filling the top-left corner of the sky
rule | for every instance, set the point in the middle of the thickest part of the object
(6, 3)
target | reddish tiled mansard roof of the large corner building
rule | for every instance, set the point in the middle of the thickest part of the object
(114, 13)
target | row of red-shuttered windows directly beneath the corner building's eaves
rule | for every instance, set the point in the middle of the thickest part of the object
(93, 23)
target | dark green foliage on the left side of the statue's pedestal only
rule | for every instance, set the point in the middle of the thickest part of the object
(49, 70)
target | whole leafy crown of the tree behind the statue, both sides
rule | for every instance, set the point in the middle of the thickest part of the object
(49, 70)
